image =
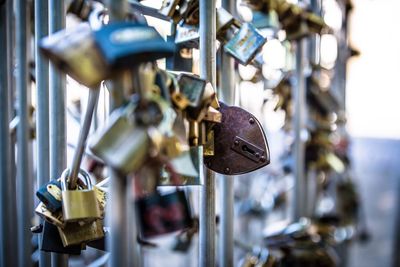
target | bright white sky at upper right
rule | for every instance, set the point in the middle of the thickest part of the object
(373, 85)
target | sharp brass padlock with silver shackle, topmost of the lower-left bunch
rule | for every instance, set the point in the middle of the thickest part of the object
(79, 204)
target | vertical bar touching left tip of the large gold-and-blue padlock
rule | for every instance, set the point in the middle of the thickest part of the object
(42, 107)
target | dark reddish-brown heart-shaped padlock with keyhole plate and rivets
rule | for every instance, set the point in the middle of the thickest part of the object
(240, 145)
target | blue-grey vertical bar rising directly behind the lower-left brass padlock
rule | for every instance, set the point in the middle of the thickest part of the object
(57, 86)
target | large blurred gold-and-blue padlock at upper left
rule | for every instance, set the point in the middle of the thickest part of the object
(91, 56)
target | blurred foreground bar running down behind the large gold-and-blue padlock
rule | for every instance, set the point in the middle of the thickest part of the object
(118, 242)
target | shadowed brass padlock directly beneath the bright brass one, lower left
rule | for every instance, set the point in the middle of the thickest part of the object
(75, 233)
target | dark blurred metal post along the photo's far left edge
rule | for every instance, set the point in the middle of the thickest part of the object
(7, 182)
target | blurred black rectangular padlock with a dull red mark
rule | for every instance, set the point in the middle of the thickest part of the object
(162, 214)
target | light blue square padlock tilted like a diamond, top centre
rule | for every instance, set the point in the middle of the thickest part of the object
(245, 44)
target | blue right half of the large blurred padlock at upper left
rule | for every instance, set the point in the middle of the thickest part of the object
(124, 44)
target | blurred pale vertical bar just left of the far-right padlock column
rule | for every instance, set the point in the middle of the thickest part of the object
(299, 93)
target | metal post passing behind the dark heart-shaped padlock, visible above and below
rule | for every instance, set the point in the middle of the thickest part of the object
(227, 95)
